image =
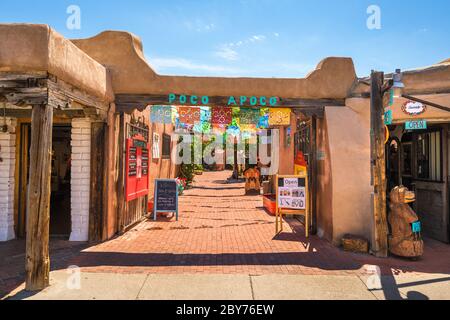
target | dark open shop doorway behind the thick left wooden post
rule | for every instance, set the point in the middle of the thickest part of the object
(60, 202)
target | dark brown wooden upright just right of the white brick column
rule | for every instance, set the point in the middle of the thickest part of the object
(97, 190)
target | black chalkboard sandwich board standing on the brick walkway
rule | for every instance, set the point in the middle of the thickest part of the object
(166, 196)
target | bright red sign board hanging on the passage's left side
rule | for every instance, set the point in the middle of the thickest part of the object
(137, 168)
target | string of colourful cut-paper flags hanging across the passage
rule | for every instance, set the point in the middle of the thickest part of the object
(232, 120)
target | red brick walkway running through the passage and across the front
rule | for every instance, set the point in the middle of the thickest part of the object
(220, 231)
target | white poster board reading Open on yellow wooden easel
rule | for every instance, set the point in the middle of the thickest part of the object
(292, 193)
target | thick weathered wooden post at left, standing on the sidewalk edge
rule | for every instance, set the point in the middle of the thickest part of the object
(38, 199)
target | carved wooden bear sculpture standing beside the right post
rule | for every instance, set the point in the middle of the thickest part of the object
(403, 241)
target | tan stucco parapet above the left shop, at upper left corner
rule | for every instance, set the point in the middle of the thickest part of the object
(38, 48)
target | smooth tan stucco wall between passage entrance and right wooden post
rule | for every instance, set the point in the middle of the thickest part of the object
(349, 142)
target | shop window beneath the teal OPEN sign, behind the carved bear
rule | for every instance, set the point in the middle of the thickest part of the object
(429, 162)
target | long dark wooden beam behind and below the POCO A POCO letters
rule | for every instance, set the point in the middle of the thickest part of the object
(127, 103)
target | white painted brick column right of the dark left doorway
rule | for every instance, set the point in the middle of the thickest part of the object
(80, 184)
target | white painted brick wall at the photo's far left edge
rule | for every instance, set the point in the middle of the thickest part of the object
(7, 170)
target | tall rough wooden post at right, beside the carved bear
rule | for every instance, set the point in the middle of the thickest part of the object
(378, 163)
